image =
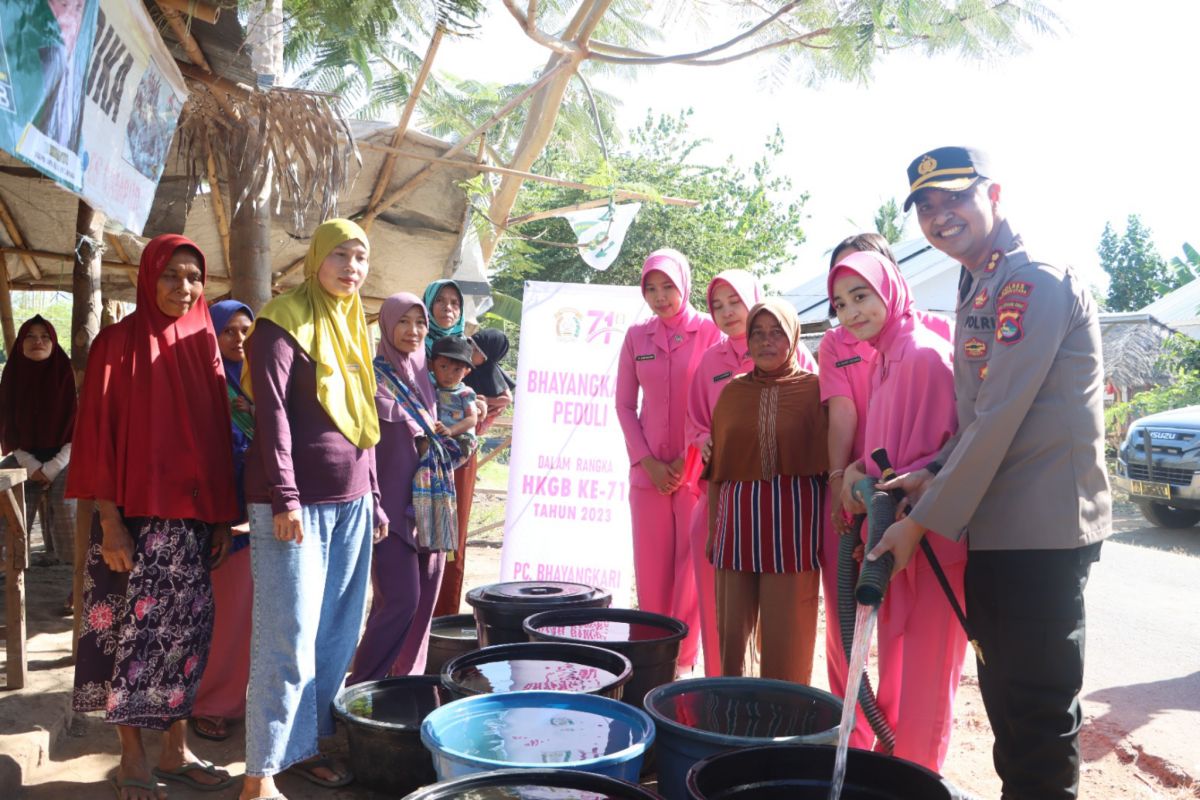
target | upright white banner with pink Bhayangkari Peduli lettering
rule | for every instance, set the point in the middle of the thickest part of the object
(568, 509)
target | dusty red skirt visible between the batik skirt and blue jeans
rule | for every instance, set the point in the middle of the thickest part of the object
(223, 691)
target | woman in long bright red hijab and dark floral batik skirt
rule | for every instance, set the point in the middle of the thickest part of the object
(152, 450)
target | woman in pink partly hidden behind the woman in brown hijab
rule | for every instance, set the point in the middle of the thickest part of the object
(730, 297)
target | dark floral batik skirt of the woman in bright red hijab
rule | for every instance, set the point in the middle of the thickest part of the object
(146, 634)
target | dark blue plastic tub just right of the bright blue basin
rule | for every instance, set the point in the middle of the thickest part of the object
(704, 717)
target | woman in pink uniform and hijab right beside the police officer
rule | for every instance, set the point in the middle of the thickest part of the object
(911, 413)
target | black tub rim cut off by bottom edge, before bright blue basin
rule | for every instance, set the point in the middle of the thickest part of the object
(535, 785)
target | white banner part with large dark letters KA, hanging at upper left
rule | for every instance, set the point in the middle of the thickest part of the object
(135, 94)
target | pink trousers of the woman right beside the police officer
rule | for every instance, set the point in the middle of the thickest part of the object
(922, 648)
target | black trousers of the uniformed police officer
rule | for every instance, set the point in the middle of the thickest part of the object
(1027, 609)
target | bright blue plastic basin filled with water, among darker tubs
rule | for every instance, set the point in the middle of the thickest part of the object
(538, 730)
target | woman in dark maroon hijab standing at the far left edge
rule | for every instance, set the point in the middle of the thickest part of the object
(38, 406)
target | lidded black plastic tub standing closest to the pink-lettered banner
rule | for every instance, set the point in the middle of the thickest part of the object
(501, 609)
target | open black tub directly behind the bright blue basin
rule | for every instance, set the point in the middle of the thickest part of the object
(531, 666)
